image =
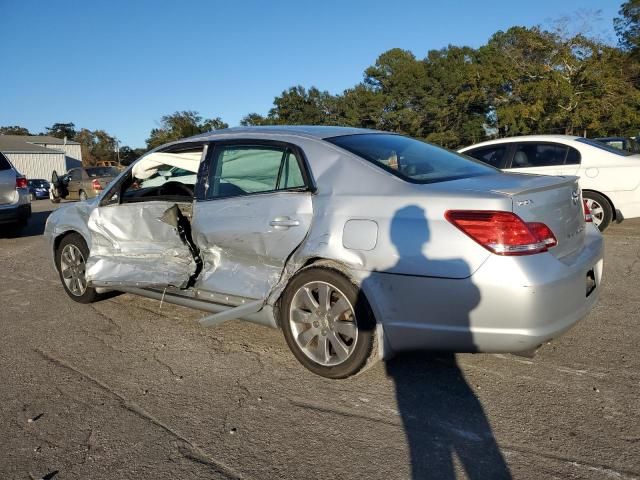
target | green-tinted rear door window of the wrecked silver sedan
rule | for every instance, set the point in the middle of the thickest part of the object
(242, 170)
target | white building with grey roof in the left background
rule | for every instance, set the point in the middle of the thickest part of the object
(38, 155)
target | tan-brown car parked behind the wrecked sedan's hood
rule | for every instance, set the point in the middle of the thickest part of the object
(81, 183)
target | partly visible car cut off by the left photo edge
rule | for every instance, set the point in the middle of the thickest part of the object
(15, 205)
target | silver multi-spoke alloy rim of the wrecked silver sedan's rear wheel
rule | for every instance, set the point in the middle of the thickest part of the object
(323, 323)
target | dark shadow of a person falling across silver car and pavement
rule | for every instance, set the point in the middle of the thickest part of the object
(442, 418)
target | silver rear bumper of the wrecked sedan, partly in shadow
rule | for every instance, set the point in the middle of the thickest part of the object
(510, 304)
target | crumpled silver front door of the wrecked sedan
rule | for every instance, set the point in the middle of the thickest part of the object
(132, 246)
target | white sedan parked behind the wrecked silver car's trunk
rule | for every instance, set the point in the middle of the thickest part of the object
(609, 177)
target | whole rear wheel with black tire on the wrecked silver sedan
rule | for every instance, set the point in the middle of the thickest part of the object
(334, 340)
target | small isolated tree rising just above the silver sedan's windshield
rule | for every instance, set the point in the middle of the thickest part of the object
(180, 125)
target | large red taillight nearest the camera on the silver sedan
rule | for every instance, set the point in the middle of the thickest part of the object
(503, 233)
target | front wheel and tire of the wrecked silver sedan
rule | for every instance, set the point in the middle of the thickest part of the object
(69, 268)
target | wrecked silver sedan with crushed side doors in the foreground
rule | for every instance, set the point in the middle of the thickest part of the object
(358, 244)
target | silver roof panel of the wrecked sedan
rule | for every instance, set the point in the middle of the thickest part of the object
(316, 131)
